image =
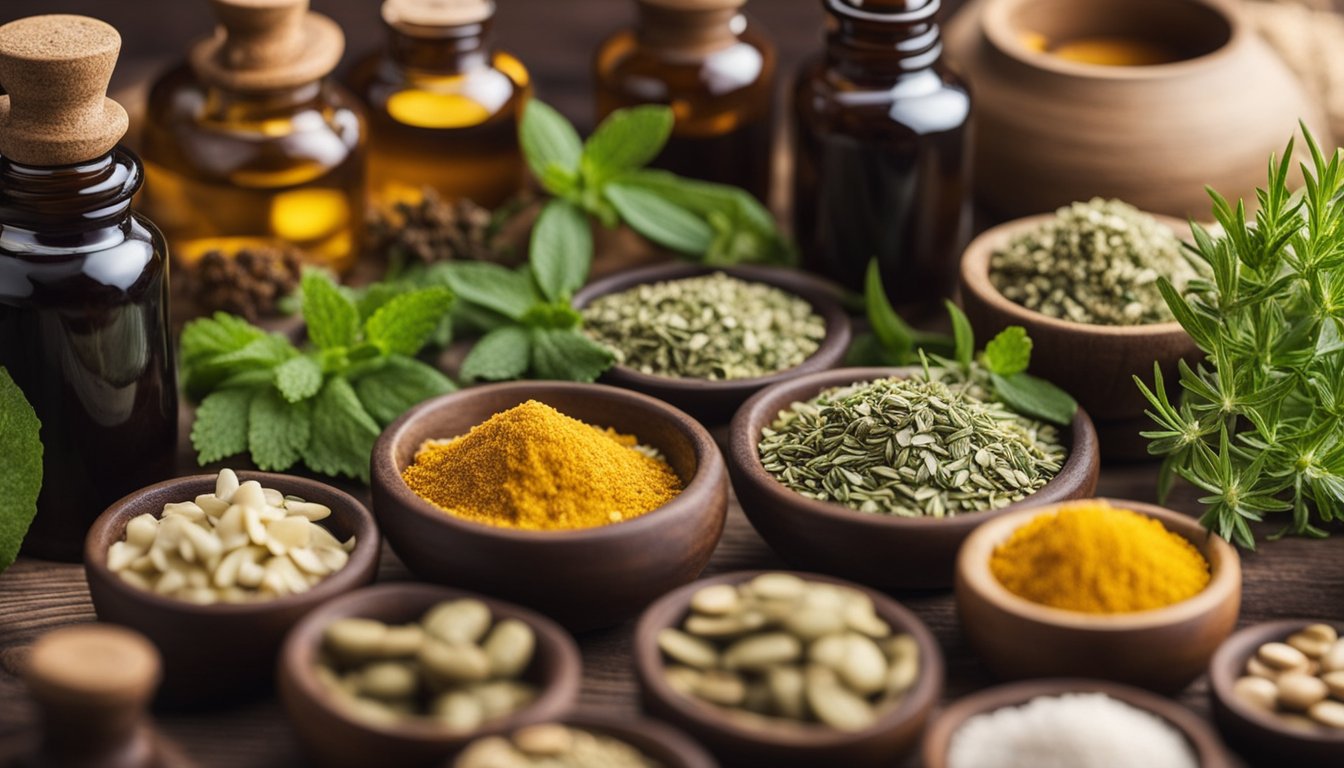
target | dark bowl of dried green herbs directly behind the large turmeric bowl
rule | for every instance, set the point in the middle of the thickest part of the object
(706, 338)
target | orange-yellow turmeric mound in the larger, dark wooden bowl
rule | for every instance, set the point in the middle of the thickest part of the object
(533, 467)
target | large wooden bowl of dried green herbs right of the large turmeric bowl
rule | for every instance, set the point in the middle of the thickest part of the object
(878, 475)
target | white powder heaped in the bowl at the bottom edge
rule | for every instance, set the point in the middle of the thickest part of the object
(1072, 731)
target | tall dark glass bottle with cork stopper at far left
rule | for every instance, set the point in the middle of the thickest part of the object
(84, 280)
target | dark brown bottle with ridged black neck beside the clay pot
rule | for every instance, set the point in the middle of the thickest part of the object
(882, 162)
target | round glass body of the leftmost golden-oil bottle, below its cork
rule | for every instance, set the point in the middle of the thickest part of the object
(225, 173)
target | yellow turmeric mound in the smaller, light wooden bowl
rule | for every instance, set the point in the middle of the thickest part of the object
(1097, 559)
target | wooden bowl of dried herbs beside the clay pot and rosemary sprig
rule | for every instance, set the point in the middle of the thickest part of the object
(1084, 283)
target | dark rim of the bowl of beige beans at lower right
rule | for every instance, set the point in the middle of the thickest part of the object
(1232, 656)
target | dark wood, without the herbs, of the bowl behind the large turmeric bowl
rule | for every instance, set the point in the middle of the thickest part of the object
(716, 401)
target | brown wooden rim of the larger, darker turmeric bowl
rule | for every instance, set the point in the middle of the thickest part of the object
(709, 463)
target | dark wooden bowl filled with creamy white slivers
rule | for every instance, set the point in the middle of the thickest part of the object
(217, 568)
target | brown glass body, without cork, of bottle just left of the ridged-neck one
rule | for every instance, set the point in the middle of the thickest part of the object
(722, 103)
